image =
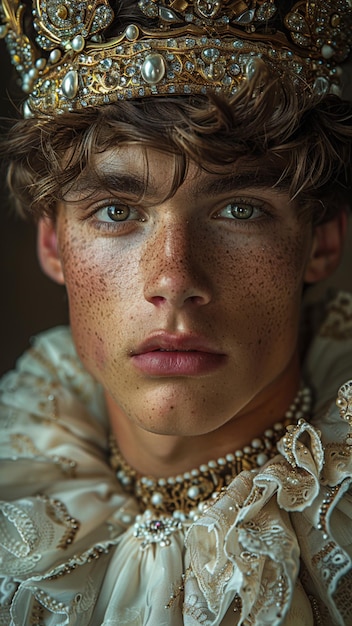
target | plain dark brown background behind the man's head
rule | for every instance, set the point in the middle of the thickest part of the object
(30, 302)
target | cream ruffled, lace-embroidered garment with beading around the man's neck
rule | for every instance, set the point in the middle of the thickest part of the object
(274, 548)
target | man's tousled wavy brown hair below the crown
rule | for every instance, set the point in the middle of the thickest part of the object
(311, 138)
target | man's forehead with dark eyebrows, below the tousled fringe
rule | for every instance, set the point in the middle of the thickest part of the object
(141, 171)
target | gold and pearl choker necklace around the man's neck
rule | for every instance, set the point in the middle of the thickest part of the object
(182, 495)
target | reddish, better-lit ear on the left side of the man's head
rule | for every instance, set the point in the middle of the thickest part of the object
(47, 247)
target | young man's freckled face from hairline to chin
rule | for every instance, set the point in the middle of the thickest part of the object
(185, 309)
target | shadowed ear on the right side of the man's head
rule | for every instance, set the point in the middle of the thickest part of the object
(327, 247)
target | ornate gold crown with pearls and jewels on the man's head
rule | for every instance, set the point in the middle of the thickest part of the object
(80, 53)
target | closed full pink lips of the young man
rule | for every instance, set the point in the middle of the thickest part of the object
(165, 354)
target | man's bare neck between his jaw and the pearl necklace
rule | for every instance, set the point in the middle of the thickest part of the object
(159, 455)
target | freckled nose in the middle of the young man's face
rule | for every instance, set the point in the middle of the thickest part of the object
(176, 268)
